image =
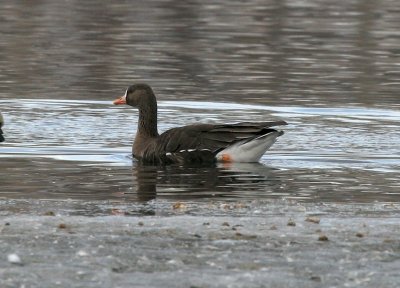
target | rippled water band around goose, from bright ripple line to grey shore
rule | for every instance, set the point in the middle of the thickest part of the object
(59, 149)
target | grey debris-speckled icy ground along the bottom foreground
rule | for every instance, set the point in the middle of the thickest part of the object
(184, 244)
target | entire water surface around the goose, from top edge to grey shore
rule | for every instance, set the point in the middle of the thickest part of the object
(330, 70)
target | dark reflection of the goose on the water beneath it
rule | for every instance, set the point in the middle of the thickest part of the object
(241, 180)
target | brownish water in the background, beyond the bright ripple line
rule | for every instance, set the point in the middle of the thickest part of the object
(280, 52)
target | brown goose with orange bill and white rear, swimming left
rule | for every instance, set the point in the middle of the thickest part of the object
(198, 143)
